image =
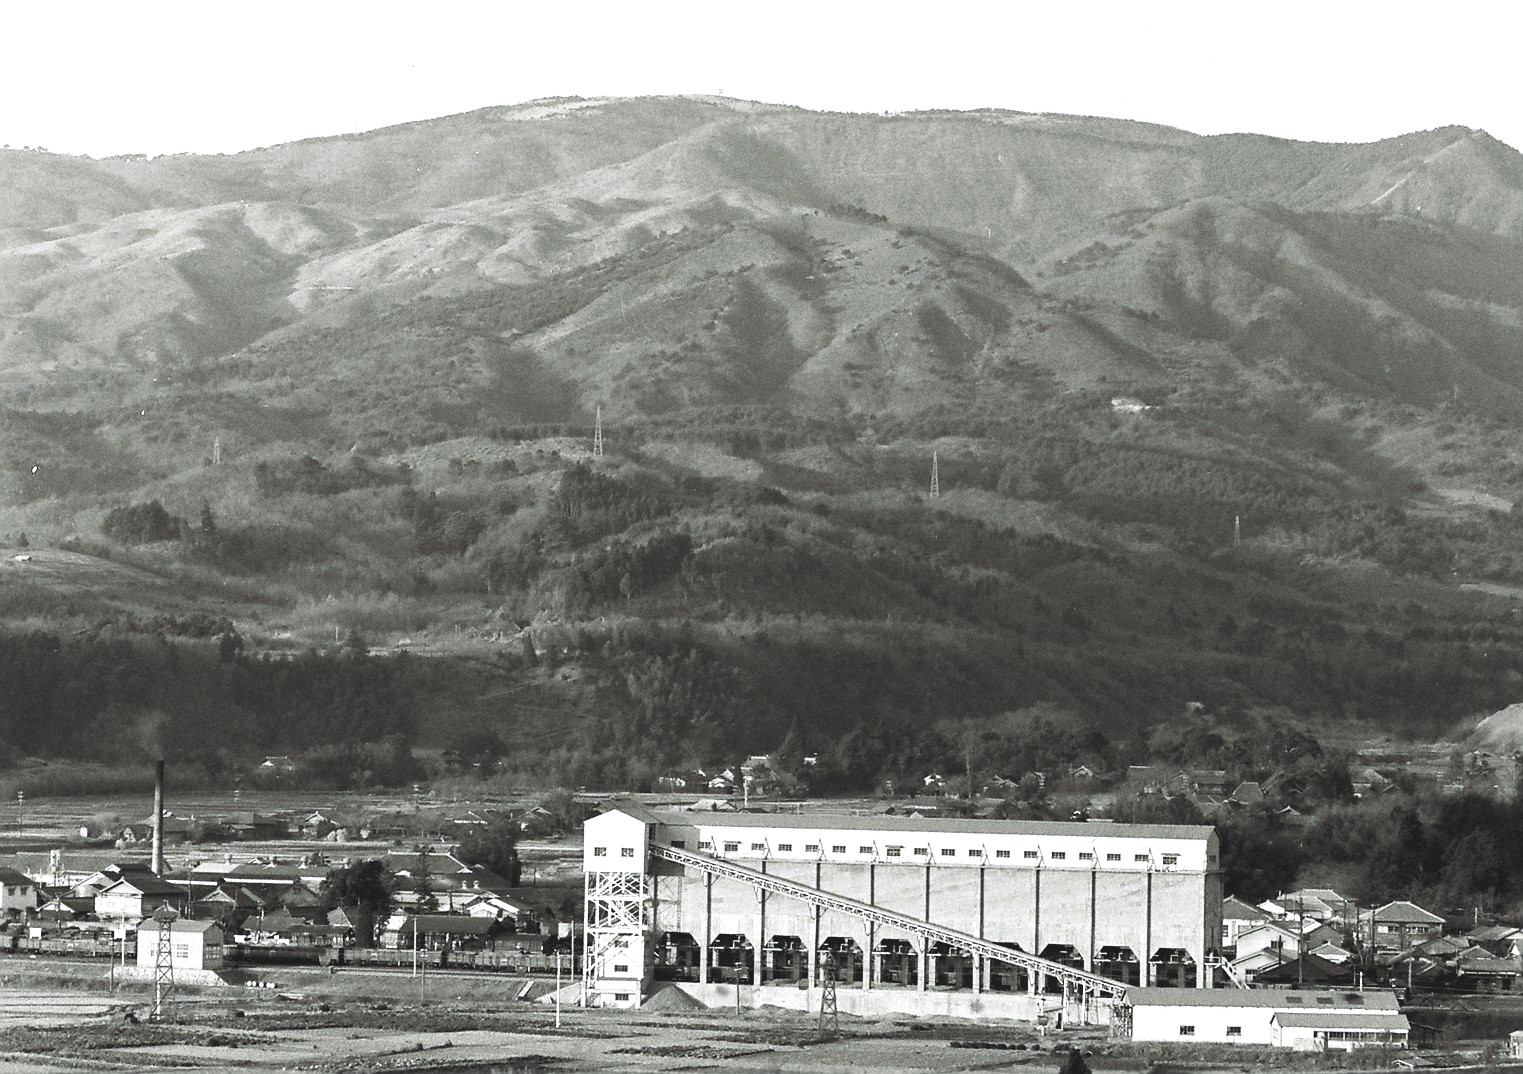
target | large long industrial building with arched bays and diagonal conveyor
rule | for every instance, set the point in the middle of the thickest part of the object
(1014, 919)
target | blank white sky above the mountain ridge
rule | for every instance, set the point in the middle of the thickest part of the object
(170, 77)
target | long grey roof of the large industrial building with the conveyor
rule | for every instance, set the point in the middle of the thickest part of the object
(951, 826)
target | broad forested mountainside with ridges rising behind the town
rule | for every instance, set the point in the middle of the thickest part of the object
(298, 444)
